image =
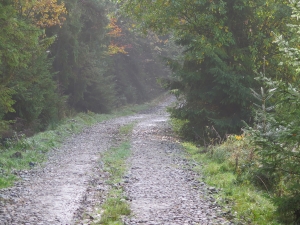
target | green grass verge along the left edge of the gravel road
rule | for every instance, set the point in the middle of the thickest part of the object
(22, 153)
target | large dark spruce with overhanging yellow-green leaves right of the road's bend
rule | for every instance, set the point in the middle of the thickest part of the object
(224, 42)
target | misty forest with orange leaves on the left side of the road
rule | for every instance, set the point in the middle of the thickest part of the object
(62, 57)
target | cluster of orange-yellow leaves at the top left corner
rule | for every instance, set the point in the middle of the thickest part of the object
(42, 13)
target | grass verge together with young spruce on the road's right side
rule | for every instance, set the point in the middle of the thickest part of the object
(257, 171)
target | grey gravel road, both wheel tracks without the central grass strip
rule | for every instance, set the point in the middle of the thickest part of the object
(161, 188)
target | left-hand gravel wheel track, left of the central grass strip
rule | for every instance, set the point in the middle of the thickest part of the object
(53, 194)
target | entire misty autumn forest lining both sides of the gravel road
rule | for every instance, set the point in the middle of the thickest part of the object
(232, 64)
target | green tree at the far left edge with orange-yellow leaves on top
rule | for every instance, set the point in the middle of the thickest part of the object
(27, 88)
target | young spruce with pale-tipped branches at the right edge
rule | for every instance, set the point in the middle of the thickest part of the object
(276, 135)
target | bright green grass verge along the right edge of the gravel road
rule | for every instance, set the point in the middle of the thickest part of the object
(246, 202)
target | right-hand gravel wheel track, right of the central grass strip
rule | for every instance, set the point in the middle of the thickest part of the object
(163, 191)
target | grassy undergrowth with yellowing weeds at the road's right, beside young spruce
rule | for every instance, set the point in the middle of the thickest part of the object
(243, 196)
